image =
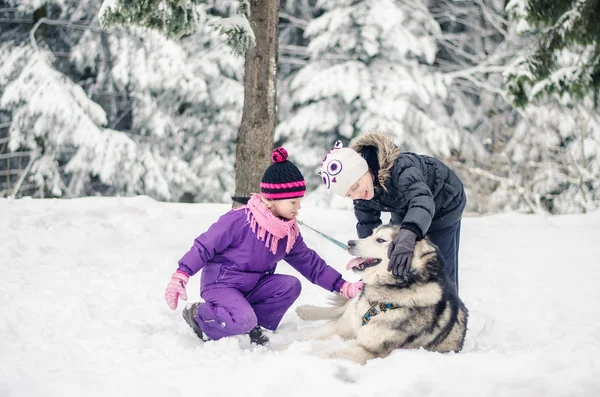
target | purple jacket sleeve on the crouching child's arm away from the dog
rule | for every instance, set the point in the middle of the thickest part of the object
(216, 239)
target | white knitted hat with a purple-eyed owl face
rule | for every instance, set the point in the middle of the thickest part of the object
(341, 168)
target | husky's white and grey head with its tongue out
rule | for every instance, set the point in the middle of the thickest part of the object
(372, 256)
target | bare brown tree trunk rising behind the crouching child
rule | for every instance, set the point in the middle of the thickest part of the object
(257, 129)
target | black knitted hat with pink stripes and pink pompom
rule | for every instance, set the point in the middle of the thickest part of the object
(282, 180)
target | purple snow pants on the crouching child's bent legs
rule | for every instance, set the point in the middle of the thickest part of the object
(228, 311)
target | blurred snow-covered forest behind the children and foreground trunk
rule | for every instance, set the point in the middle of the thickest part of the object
(505, 92)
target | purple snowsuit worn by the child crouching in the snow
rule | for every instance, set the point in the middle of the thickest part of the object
(238, 284)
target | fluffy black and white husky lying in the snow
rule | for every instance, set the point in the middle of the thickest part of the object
(430, 314)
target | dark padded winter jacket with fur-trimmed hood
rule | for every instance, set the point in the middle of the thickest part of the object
(420, 191)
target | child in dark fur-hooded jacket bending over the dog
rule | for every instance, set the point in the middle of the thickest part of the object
(423, 195)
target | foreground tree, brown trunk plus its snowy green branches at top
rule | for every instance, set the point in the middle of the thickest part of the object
(257, 127)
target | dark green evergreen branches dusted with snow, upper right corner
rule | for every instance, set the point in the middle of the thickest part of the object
(567, 58)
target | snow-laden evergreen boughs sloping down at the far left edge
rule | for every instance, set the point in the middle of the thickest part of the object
(54, 118)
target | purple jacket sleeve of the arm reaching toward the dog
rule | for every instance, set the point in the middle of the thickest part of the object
(313, 267)
